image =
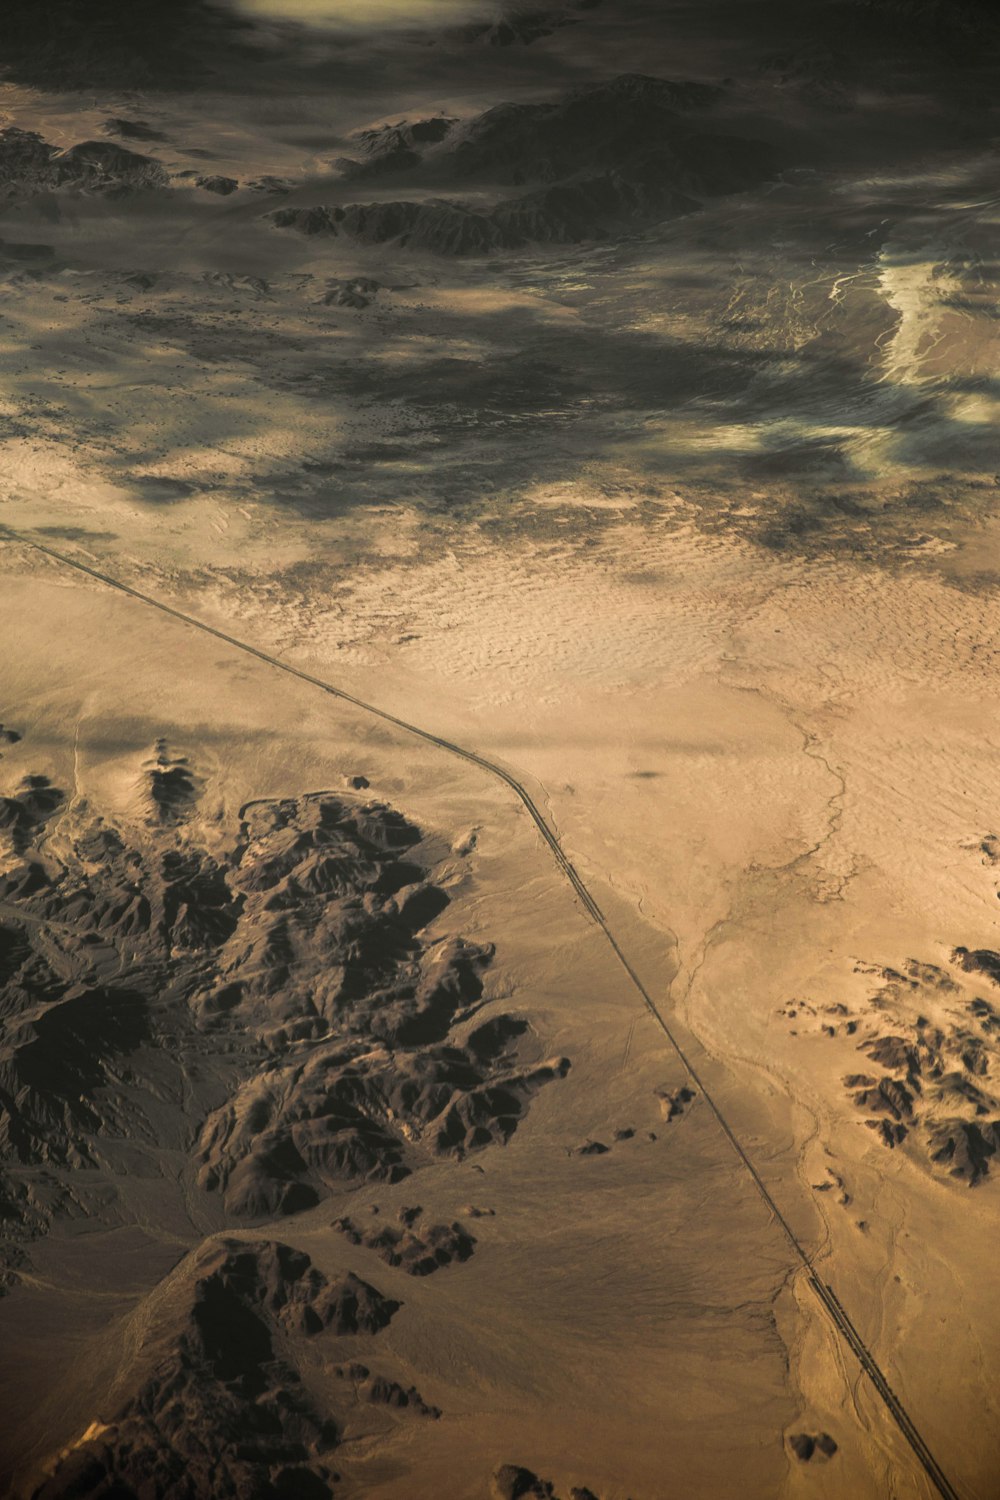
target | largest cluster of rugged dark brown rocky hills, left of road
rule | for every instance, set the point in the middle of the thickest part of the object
(287, 991)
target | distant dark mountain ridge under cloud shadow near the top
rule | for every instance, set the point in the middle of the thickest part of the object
(597, 161)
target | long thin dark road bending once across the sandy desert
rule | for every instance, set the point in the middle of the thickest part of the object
(822, 1291)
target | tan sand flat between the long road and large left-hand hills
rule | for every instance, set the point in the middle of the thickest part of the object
(608, 1312)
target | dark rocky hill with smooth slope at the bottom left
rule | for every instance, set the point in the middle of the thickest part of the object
(221, 1405)
